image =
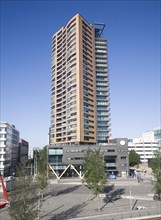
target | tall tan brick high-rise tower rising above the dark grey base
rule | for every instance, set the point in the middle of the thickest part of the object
(79, 84)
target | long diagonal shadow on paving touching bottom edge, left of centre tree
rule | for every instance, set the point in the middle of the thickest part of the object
(69, 213)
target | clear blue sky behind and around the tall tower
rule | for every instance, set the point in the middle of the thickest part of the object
(133, 33)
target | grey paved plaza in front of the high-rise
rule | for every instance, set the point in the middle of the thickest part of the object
(70, 199)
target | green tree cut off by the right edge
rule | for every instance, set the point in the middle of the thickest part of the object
(156, 167)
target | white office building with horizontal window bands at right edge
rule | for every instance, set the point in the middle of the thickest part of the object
(147, 145)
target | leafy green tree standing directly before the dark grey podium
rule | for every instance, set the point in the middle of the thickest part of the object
(94, 171)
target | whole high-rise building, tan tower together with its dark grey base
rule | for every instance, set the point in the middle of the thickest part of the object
(80, 107)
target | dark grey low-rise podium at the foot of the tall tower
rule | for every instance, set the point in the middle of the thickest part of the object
(115, 156)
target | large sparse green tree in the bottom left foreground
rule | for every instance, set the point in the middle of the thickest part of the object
(24, 196)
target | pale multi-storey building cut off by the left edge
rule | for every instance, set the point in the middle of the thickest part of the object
(9, 143)
